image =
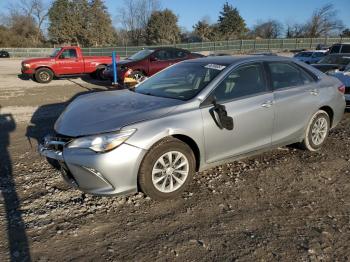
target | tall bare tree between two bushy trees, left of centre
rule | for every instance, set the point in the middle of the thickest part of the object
(135, 15)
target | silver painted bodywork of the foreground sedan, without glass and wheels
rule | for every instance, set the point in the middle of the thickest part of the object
(256, 128)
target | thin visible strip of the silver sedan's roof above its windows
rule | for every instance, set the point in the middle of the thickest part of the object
(230, 60)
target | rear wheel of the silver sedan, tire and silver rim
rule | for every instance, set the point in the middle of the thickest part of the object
(318, 127)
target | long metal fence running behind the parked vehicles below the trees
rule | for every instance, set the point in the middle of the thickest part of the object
(234, 46)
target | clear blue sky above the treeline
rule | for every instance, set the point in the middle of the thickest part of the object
(191, 11)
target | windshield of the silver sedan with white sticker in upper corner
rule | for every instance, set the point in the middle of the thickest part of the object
(182, 81)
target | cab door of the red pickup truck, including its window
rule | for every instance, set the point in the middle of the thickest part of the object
(68, 63)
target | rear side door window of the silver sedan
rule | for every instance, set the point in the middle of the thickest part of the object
(285, 75)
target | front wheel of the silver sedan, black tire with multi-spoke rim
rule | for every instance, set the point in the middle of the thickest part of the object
(152, 170)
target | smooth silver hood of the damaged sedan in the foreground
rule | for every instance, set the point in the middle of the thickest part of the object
(109, 111)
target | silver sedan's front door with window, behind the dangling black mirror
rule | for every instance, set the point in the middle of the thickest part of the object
(247, 99)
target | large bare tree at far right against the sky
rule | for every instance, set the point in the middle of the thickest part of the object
(323, 22)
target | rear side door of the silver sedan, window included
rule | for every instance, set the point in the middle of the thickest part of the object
(295, 97)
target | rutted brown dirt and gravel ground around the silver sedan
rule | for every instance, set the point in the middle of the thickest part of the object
(285, 205)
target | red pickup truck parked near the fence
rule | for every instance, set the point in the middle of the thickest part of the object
(65, 61)
